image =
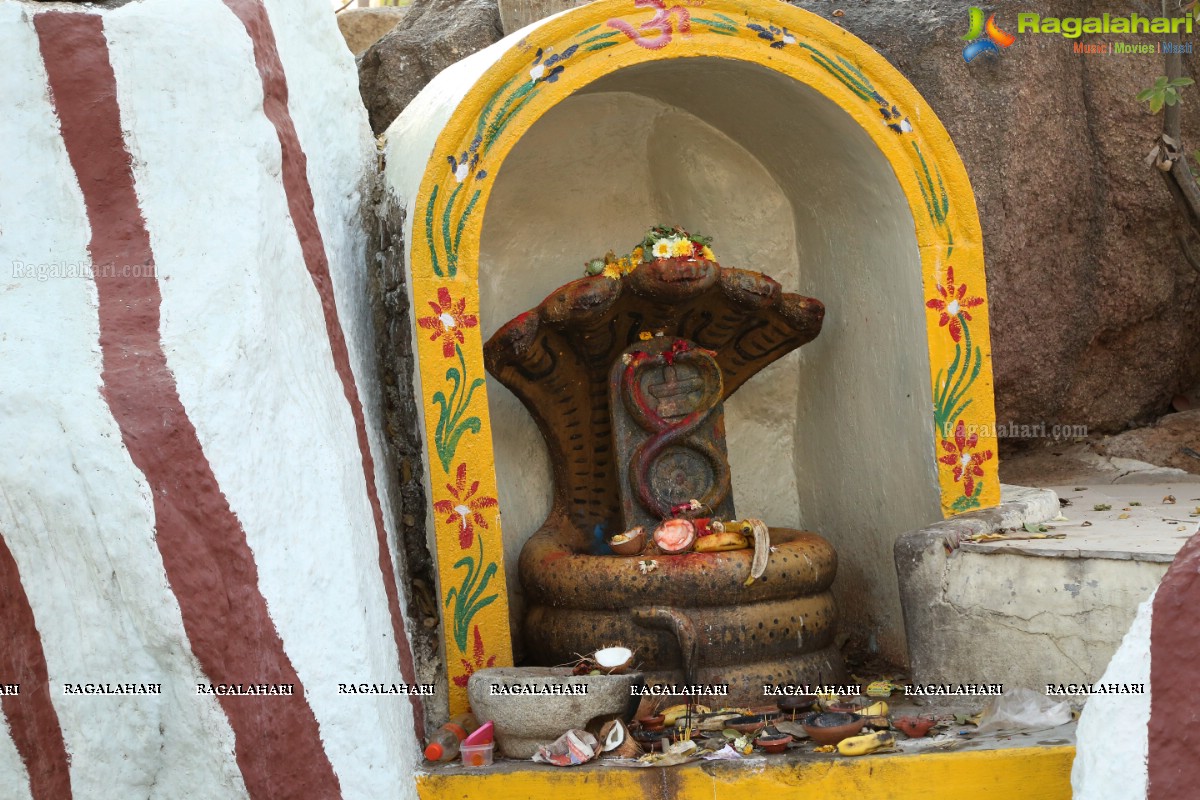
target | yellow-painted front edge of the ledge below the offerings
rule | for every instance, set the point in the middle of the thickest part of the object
(1041, 773)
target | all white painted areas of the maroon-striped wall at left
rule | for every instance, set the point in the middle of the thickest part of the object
(245, 340)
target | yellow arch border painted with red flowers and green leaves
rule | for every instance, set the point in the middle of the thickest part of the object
(555, 61)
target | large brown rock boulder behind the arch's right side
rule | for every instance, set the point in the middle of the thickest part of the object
(1093, 305)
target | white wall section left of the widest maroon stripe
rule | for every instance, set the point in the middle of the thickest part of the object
(75, 512)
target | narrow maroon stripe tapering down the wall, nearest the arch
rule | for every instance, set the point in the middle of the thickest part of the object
(296, 185)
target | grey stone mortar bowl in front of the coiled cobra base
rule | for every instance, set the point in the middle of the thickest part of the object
(525, 723)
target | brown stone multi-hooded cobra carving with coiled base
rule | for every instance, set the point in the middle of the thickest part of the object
(626, 380)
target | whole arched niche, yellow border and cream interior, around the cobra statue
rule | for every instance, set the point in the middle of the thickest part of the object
(807, 158)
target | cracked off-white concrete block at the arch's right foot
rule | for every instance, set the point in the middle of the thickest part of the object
(1022, 613)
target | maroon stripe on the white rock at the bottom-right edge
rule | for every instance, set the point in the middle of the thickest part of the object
(1174, 737)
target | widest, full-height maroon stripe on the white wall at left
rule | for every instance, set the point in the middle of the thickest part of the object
(203, 546)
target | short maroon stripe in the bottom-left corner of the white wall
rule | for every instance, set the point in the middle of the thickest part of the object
(33, 720)
